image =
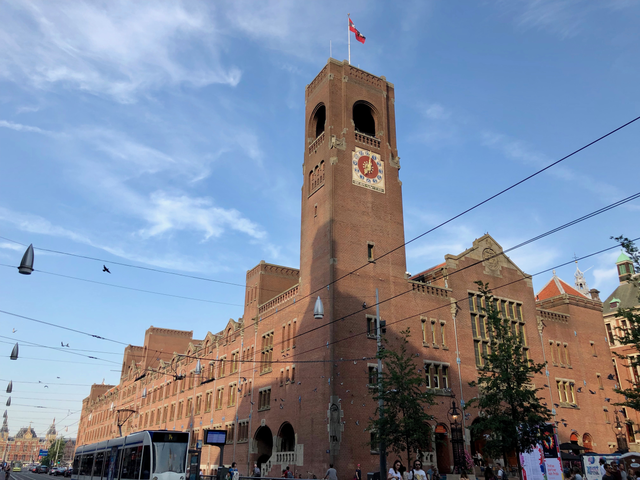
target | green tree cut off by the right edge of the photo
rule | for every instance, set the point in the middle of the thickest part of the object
(630, 336)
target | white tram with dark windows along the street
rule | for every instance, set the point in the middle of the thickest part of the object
(146, 455)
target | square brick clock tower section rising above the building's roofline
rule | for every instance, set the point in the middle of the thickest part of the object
(351, 194)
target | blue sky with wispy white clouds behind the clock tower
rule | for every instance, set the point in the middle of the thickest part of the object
(170, 135)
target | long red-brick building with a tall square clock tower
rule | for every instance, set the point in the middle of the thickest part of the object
(295, 390)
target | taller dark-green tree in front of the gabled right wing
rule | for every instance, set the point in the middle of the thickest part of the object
(509, 406)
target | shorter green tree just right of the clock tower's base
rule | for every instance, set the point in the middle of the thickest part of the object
(404, 427)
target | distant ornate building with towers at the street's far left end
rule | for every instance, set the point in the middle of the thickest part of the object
(25, 445)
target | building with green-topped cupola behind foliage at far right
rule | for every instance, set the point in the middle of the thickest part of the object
(626, 295)
